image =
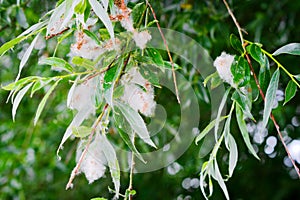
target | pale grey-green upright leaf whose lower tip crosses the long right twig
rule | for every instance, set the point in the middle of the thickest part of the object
(270, 97)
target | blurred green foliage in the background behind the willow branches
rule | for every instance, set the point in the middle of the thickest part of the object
(29, 168)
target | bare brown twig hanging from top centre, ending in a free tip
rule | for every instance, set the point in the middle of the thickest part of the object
(168, 51)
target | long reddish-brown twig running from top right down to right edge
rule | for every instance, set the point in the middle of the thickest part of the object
(259, 88)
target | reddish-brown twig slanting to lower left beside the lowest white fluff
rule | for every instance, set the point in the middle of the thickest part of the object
(77, 167)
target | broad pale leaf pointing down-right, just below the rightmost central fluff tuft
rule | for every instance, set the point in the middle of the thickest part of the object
(136, 122)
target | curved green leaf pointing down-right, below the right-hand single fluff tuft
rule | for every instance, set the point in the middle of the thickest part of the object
(243, 129)
